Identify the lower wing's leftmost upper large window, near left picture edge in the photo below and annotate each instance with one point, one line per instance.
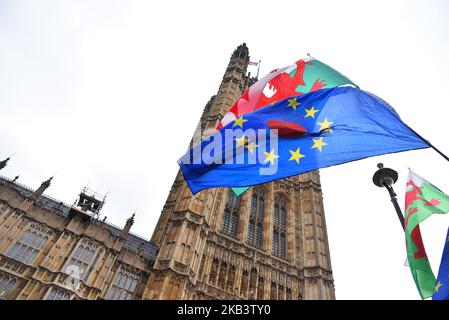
(29, 245)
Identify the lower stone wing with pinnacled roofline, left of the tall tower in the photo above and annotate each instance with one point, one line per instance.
(49, 250)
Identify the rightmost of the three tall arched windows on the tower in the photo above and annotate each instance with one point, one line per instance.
(279, 227)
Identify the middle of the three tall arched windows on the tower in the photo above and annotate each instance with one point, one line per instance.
(256, 217)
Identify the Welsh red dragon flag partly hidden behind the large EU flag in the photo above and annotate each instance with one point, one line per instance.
(304, 76)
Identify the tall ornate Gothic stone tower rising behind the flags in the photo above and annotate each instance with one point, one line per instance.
(269, 243)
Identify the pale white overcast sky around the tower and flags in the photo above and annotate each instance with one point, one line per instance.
(108, 93)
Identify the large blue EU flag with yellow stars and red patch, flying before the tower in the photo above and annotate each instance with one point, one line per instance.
(297, 135)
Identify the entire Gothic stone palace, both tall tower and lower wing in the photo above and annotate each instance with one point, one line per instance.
(269, 243)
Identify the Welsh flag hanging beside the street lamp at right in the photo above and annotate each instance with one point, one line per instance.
(422, 199)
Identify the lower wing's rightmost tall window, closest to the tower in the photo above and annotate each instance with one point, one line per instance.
(124, 285)
